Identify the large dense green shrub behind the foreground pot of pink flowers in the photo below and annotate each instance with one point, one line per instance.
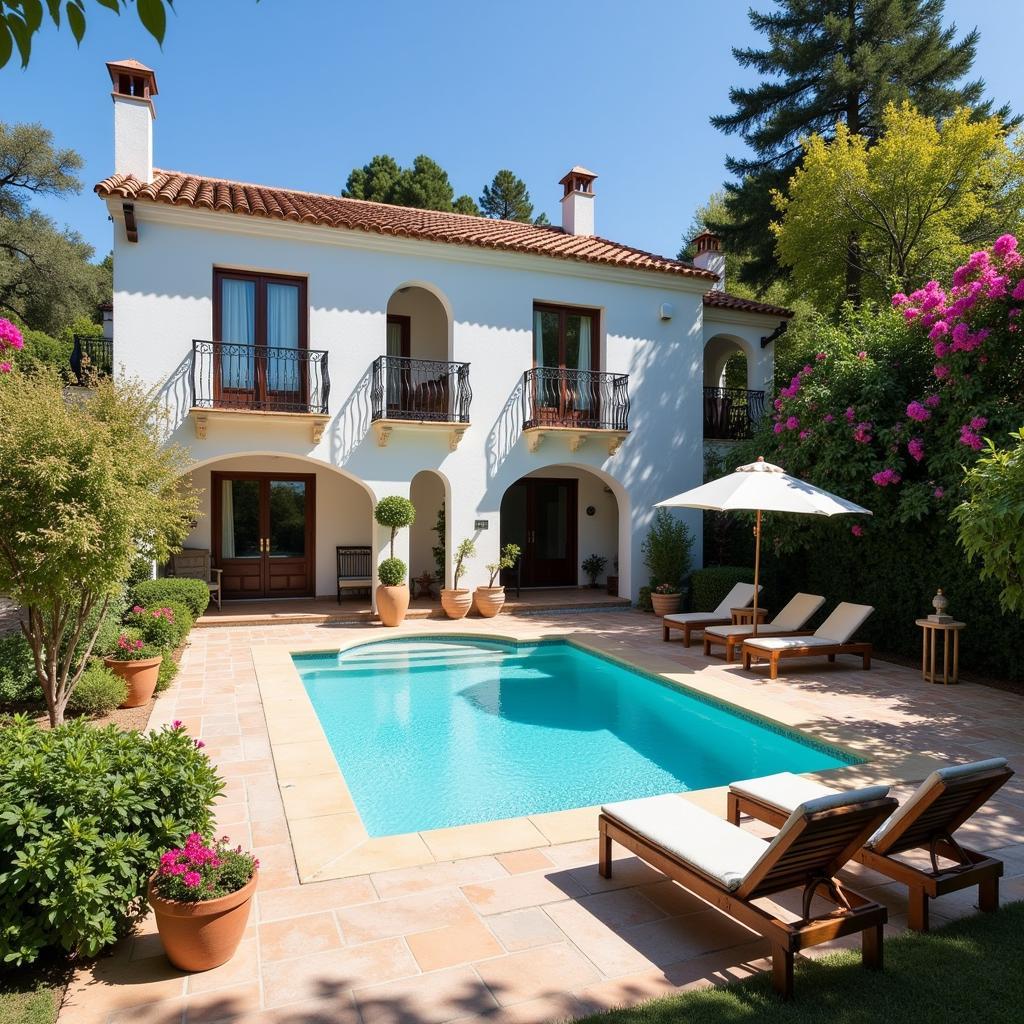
(84, 816)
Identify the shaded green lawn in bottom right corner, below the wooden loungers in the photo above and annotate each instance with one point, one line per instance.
(972, 971)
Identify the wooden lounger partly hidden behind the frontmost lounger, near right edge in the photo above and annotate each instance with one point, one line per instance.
(927, 822)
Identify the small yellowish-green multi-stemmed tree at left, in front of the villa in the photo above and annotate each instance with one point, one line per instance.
(87, 488)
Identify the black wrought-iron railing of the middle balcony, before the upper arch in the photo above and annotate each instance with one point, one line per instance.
(403, 389)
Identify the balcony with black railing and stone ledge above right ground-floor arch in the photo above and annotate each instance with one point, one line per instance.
(583, 404)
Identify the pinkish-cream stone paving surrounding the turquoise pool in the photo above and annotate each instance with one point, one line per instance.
(528, 935)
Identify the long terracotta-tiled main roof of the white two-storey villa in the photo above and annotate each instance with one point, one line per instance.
(177, 189)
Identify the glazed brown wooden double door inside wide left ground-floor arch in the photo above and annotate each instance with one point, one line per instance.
(264, 534)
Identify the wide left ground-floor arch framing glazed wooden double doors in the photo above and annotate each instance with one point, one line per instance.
(284, 527)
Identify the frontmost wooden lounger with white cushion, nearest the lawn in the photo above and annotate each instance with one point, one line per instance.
(732, 869)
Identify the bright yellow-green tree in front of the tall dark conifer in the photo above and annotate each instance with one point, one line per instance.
(918, 202)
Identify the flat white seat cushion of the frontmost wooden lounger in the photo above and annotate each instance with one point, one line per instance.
(716, 848)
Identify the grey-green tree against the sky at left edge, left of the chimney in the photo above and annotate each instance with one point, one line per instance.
(47, 277)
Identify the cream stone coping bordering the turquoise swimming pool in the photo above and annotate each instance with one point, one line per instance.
(329, 840)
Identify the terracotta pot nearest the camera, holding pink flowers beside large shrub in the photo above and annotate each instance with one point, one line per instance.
(202, 936)
